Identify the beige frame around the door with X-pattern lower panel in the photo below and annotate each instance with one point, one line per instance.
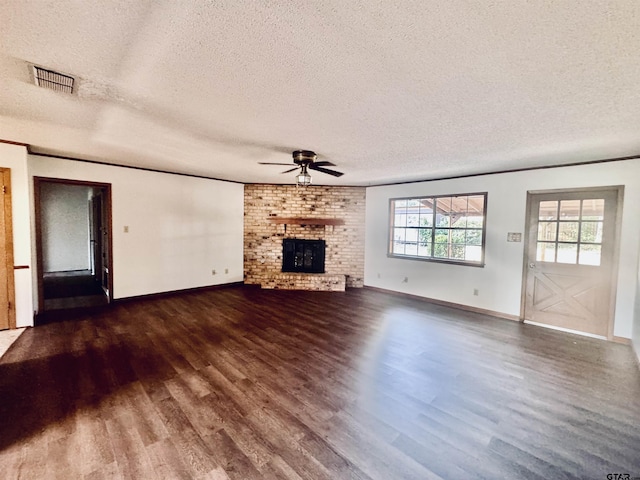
(616, 247)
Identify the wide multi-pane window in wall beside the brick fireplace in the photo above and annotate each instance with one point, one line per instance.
(447, 228)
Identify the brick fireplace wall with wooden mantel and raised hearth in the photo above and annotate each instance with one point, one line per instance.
(334, 215)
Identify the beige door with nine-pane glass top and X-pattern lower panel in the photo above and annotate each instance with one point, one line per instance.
(570, 260)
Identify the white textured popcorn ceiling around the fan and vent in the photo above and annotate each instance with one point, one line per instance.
(387, 90)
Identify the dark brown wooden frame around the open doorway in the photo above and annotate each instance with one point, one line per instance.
(37, 182)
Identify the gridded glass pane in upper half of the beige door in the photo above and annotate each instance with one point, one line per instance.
(570, 231)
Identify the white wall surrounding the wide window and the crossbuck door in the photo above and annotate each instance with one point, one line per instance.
(500, 281)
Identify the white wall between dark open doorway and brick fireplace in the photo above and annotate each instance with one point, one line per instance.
(180, 228)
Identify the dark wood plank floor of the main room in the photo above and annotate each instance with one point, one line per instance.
(243, 383)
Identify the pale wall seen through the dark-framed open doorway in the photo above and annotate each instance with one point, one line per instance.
(65, 227)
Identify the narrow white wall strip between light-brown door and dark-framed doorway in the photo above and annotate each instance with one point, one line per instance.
(15, 158)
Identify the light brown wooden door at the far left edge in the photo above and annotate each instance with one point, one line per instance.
(7, 310)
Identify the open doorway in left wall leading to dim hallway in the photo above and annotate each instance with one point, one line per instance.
(73, 240)
